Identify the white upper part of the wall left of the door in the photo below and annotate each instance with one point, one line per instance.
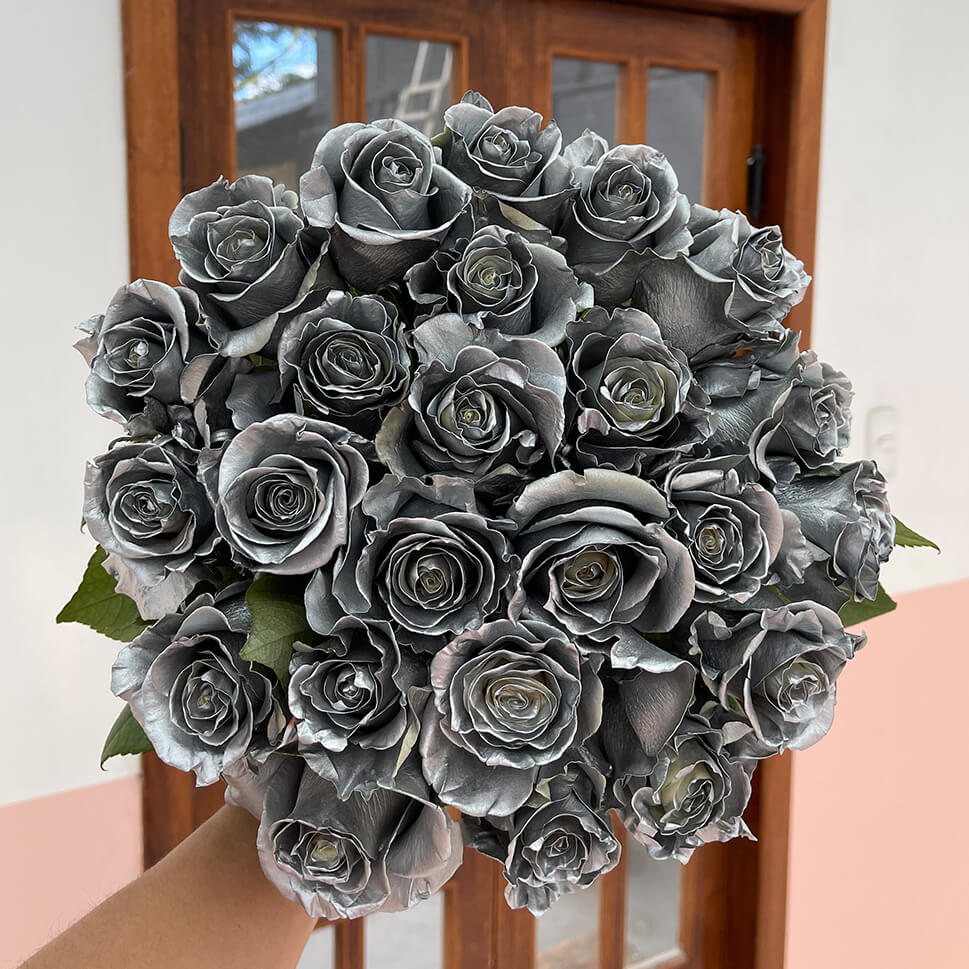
(64, 250)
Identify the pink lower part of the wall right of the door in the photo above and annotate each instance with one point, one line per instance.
(880, 808)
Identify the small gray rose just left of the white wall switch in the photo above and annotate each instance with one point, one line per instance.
(816, 419)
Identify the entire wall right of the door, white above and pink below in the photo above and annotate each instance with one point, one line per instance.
(868, 884)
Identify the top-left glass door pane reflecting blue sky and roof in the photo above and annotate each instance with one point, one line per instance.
(284, 97)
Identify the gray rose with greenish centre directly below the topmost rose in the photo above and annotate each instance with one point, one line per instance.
(499, 279)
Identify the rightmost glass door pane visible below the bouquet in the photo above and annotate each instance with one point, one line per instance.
(652, 908)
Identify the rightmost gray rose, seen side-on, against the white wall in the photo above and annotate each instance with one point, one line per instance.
(845, 514)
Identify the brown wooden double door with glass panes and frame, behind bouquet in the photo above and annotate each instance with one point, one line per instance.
(709, 79)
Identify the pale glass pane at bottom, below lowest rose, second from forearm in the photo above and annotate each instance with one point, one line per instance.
(413, 939)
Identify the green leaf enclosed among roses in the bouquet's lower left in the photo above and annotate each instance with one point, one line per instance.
(278, 621)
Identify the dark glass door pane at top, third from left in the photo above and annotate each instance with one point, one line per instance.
(584, 96)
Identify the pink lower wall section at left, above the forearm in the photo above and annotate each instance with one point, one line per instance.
(62, 855)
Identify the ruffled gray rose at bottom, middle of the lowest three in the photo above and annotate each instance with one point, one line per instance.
(560, 846)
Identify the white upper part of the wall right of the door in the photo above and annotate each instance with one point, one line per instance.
(891, 304)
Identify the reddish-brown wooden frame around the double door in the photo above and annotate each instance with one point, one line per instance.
(787, 123)
